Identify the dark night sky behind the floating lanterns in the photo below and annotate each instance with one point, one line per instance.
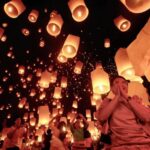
(98, 26)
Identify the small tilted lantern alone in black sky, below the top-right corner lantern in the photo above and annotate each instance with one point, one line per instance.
(122, 24)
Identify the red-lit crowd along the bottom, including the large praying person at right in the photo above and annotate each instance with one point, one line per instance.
(124, 123)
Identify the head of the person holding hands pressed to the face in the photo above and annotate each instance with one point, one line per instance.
(119, 82)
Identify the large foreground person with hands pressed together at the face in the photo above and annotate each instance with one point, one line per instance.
(125, 119)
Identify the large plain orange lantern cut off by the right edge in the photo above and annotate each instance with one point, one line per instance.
(139, 52)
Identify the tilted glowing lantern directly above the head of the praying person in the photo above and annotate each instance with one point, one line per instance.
(124, 66)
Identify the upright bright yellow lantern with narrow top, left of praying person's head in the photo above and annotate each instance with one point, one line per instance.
(100, 80)
